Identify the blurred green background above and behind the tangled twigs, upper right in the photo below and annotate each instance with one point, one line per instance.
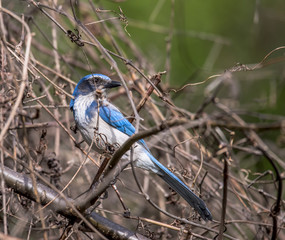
(209, 37)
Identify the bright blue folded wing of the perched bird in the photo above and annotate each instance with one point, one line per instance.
(115, 118)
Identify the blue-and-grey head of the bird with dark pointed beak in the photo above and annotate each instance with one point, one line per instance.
(93, 83)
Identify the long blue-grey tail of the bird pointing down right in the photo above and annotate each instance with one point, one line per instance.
(178, 186)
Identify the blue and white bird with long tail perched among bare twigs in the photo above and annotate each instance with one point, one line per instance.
(95, 115)
